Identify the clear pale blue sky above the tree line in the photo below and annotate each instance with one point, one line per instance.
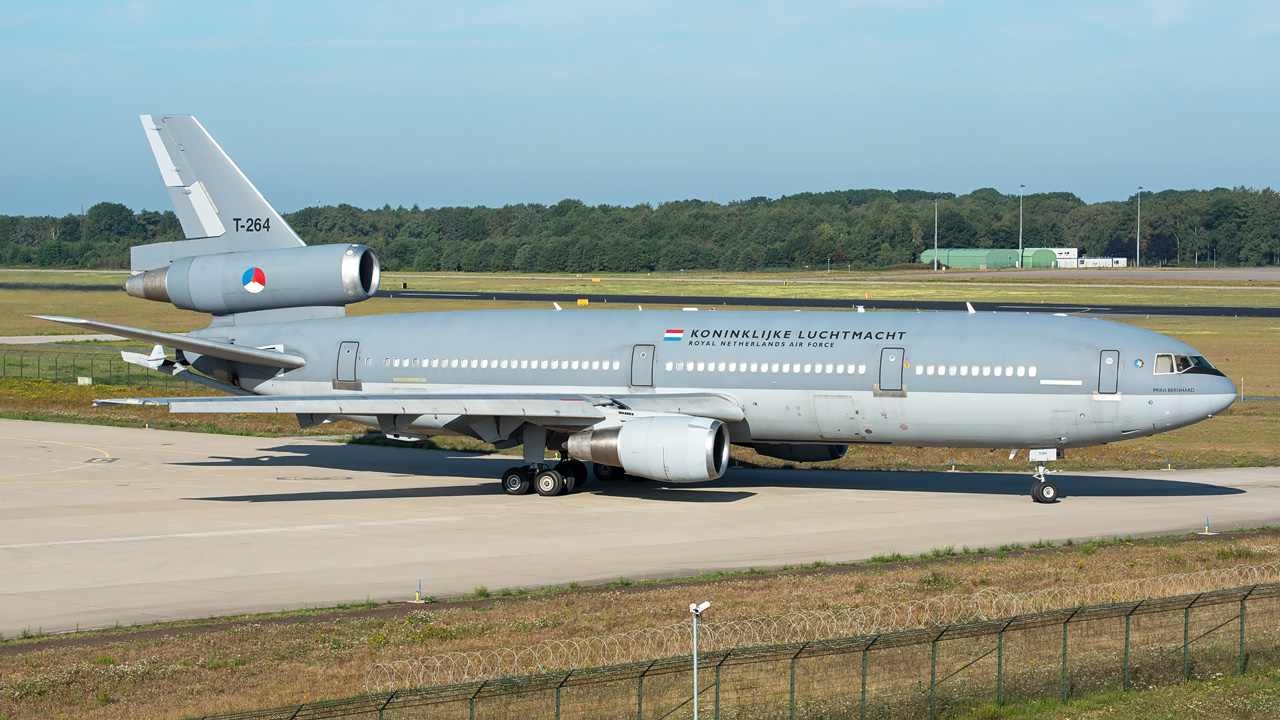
(623, 103)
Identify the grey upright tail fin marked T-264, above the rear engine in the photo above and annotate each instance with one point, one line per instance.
(220, 209)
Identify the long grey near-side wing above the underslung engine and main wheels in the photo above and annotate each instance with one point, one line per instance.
(551, 407)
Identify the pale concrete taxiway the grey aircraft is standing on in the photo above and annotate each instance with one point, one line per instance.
(106, 526)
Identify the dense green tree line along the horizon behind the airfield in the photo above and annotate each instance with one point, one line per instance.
(849, 230)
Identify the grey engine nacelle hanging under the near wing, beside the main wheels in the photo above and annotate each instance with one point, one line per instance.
(678, 449)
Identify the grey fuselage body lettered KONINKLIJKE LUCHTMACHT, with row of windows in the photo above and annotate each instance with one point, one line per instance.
(1052, 398)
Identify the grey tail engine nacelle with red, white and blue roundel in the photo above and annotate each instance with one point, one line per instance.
(271, 280)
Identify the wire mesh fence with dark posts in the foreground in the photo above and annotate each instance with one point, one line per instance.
(917, 673)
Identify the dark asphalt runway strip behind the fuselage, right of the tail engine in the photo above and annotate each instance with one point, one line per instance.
(1100, 309)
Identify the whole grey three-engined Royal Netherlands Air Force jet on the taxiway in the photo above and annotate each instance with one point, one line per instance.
(657, 395)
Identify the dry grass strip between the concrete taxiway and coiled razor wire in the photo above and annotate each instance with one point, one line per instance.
(260, 664)
